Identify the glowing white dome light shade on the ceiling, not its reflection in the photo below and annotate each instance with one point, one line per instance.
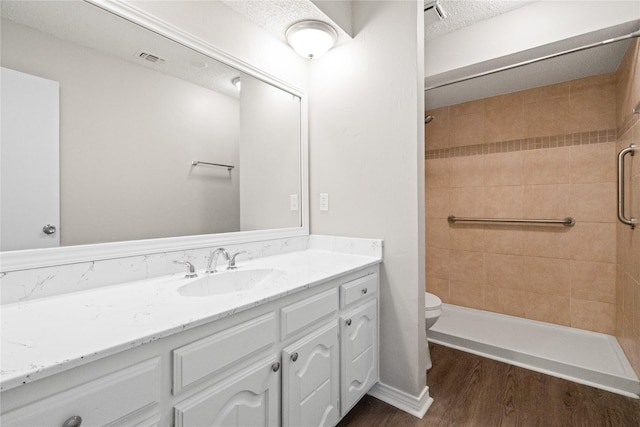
(311, 39)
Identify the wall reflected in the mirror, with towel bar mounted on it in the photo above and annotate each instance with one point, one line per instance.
(127, 138)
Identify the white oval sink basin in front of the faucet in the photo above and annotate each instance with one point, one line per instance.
(227, 282)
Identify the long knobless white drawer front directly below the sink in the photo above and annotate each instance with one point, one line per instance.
(208, 356)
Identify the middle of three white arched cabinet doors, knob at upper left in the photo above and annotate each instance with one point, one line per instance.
(310, 395)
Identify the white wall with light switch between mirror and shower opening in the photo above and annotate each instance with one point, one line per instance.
(367, 151)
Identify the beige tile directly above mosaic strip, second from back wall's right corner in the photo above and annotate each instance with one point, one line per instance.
(548, 117)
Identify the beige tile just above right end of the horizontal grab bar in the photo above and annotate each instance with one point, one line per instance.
(550, 201)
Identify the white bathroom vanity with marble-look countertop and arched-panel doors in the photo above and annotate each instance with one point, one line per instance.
(299, 346)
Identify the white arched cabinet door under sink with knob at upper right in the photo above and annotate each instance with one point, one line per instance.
(249, 398)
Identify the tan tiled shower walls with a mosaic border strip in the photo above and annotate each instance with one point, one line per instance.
(547, 152)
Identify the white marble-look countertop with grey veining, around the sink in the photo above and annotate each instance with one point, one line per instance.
(49, 335)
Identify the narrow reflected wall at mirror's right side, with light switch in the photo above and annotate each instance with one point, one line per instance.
(269, 157)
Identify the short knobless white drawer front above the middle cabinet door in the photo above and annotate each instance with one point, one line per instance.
(298, 316)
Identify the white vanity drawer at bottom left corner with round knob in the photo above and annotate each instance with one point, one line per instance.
(130, 396)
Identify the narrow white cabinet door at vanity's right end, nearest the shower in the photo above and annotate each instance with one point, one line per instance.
(359, 353)
